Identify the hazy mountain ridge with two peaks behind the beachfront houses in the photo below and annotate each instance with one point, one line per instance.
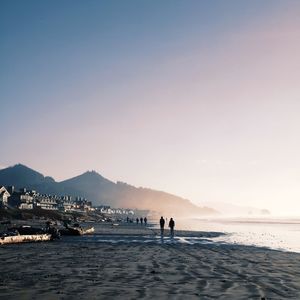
(102, 191)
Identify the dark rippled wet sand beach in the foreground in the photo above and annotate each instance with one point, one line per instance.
(132, 262)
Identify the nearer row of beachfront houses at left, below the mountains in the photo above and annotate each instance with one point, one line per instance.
(30, 199)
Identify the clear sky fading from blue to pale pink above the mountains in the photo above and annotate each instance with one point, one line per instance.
(197, 98)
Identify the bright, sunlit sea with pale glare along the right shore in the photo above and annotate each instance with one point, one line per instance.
(276, 233)
